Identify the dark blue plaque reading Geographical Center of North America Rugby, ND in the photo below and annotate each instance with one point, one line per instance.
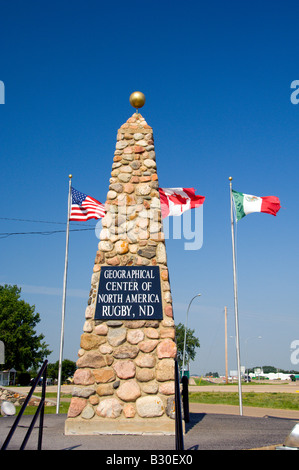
(129, 293)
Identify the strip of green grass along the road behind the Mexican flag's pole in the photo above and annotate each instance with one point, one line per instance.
(286, 401)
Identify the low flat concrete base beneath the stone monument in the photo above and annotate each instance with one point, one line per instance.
(145, 426)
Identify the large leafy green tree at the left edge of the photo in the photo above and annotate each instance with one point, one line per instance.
(23, 347)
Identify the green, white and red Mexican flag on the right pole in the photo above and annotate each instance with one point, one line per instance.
(246, 204)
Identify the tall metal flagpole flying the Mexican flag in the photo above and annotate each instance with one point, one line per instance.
(235, 298)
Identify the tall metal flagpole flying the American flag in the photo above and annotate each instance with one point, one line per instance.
(64, 295)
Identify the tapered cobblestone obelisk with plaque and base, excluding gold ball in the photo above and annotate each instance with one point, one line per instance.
(125, 381)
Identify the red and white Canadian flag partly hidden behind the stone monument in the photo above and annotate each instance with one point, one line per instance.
(175, 201)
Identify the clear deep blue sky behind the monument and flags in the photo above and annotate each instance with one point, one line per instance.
(217, 78)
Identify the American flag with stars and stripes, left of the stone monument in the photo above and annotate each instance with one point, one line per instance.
(85, 207)
